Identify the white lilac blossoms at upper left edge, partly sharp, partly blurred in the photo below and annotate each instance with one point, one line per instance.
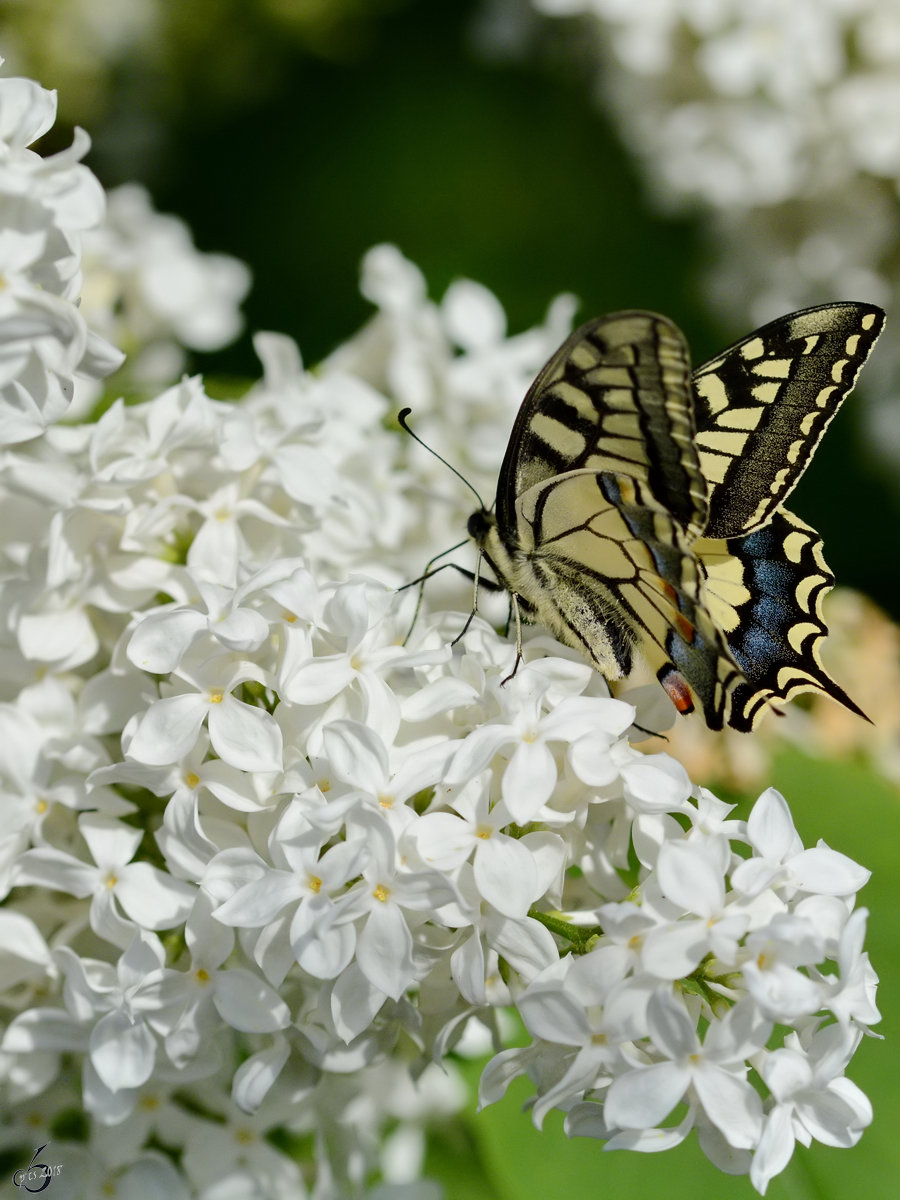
(88, 278)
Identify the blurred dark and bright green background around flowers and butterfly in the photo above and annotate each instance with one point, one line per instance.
(298, 135)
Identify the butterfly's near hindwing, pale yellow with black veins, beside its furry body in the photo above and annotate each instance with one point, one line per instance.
(613, 572)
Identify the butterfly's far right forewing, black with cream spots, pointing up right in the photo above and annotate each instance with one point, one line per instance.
(765, 404)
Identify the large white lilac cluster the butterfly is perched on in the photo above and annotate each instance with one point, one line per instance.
(267, 857)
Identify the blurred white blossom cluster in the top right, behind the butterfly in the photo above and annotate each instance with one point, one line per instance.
(779, 122)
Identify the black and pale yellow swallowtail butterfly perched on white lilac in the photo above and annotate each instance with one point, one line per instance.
(640, 506)
